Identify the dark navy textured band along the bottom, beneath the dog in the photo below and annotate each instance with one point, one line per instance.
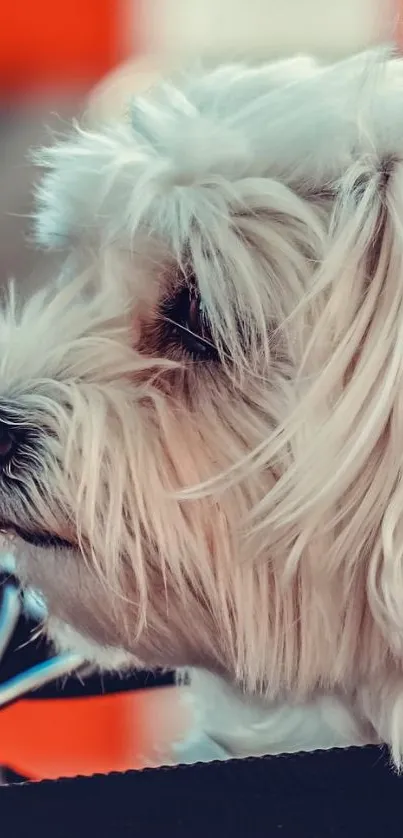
(334, 794)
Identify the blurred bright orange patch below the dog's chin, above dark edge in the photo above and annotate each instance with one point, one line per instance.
(66, 737)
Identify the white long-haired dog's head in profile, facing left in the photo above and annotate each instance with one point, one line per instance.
(232, 499)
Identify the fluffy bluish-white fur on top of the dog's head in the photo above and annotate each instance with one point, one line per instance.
(185, 149)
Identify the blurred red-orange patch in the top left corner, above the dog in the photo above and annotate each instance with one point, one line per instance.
(72, 43)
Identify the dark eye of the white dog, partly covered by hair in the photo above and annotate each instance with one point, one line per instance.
(188, 324)
